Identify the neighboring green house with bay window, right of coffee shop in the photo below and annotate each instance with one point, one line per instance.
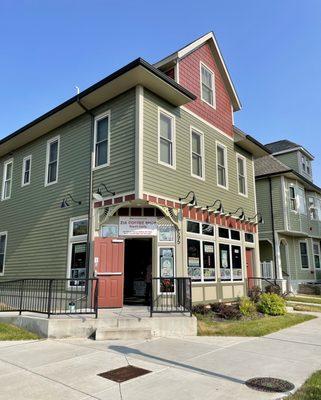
(290, 204)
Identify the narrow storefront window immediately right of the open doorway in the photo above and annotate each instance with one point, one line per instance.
(167, 269)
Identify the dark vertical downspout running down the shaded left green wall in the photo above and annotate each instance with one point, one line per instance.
(90, 198)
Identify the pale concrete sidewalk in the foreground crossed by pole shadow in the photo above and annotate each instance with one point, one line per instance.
(189, 368)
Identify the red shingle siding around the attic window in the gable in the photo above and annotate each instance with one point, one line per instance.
(189, 76)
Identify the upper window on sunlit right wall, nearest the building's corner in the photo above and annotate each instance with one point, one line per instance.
(166, 139)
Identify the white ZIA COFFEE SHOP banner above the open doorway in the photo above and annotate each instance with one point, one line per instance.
(137, 226)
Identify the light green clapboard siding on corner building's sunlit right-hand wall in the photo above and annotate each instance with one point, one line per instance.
(162, 180)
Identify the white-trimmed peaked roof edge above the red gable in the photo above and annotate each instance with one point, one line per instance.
(211, 40)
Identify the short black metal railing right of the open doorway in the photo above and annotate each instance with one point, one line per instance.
(171, 295)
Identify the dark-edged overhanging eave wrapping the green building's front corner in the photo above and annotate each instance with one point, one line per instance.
(138, 72)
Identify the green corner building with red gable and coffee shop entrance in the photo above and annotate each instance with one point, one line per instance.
(100, 185)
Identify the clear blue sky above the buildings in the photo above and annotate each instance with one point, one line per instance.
(272, 49)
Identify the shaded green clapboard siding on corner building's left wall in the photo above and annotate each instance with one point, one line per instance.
(37, 227)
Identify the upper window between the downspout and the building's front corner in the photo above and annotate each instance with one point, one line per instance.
(102, 139)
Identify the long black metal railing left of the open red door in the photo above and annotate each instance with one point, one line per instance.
(50, 296)
